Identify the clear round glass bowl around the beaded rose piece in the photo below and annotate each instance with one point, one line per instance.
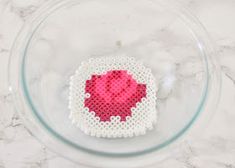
(165, 37)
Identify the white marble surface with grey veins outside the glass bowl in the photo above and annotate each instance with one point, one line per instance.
(215, 149)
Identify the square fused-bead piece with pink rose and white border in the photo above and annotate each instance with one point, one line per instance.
(113, 97)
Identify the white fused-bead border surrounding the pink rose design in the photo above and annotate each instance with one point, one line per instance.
(144, 115)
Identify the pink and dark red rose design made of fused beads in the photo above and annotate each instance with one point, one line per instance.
(113, 94)
